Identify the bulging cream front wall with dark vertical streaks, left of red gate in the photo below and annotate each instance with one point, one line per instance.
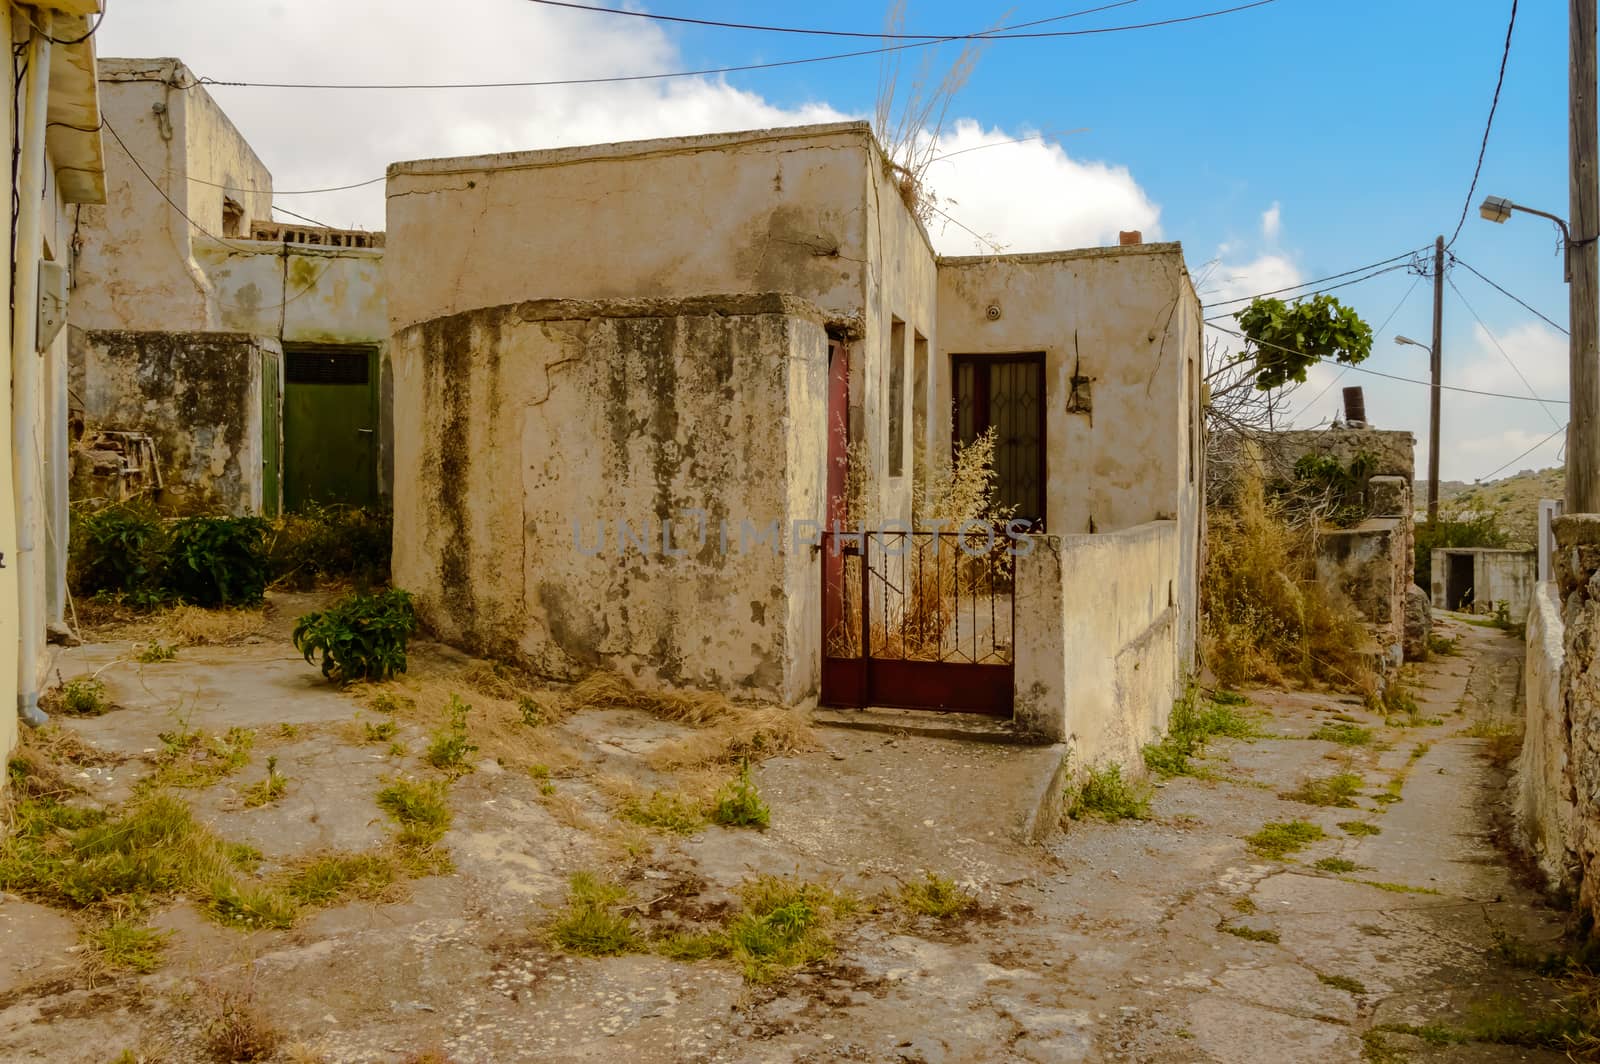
(538, 422)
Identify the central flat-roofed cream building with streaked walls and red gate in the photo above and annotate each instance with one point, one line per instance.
(652, 406)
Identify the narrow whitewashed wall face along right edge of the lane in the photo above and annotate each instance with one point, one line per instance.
(1545, 785)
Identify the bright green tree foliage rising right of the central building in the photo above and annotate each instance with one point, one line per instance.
(1286, 340)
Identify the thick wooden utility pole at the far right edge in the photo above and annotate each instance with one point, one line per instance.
(1583, 431)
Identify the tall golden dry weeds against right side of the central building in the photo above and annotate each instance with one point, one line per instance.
(1266, 615)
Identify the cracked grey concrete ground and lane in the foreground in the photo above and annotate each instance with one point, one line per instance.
(1110, 943)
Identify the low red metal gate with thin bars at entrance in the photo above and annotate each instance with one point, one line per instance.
(919, 620)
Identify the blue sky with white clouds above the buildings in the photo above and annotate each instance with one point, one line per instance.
(1284, 143)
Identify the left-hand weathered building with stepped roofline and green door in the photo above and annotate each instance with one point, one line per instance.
(220, 359)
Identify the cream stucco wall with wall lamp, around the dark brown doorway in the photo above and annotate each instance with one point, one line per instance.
(1124, 446)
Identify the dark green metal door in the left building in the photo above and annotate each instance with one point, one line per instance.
(330, 425)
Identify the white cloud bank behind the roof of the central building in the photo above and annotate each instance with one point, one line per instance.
(1026, 198)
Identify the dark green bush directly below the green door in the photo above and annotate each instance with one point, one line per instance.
(332, 543)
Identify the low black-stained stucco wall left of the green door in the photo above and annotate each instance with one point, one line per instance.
(198, 394)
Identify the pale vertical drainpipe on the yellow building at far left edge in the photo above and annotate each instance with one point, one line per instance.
(26, 366)
